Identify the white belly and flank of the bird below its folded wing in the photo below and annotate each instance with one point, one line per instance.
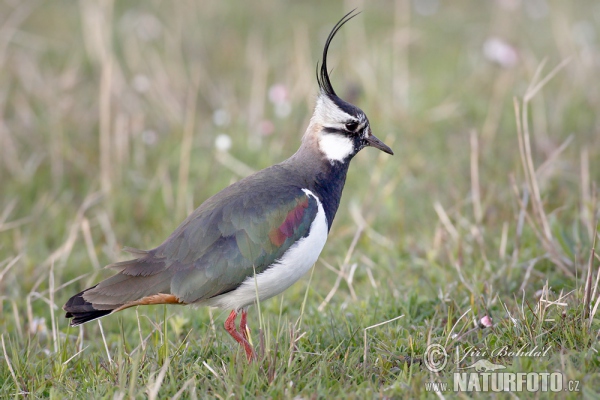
(295, 262)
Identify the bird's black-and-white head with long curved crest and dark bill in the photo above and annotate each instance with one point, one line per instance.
(339, 129)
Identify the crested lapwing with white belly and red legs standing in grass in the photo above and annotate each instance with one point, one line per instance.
(253, 239)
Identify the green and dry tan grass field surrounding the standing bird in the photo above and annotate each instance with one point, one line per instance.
(109, 113)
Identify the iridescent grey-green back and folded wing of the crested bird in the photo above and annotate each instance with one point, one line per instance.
(242, 230)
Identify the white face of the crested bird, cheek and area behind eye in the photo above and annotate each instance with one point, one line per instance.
(335, 146)
